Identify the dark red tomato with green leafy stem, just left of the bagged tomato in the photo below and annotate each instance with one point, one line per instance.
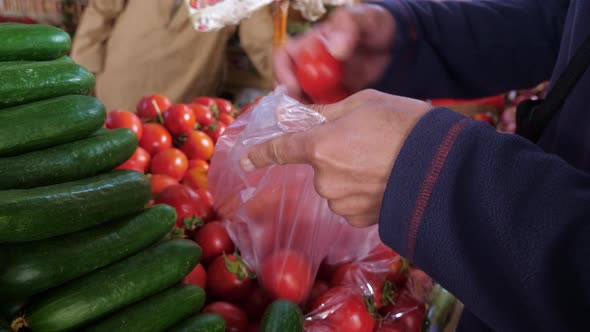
(229, 278)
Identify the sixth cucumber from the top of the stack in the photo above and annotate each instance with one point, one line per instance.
(32, 267)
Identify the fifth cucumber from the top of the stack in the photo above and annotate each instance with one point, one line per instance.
(40, 213)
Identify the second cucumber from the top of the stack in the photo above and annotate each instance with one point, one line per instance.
(38, 81)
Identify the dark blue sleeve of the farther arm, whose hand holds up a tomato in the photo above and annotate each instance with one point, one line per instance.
(471, 49)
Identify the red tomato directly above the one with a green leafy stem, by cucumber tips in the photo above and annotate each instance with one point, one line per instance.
(214, 240)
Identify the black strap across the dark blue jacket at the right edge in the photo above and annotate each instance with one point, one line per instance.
(534, 115)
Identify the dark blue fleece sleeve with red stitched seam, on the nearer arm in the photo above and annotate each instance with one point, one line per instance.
(498, 222)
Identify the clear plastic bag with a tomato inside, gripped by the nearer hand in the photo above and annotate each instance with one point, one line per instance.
(283, 228)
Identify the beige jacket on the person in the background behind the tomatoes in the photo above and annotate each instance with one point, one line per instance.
(140, 47)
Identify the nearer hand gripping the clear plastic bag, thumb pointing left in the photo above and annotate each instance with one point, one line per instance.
(352, 154)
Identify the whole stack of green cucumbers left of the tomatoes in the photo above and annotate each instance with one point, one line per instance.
(79, 250)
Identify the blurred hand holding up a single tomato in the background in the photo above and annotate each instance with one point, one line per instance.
(360, 36)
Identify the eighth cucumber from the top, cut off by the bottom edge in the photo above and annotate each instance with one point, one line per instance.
(156, 313)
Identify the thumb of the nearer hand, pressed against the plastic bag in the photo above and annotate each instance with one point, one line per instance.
(286, 149)
